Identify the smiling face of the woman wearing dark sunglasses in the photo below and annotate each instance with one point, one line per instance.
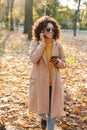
(49, 31)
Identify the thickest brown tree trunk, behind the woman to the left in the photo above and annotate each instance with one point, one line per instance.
(28, 18)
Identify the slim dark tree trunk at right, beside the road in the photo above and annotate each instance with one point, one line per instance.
(76, 17)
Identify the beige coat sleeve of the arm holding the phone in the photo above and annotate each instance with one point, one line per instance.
(62, 62)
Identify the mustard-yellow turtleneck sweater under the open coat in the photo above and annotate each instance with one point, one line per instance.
(48, 51)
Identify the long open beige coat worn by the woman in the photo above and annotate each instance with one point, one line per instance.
(39, 80)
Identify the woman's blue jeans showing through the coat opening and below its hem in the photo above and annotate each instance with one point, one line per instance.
(51, 121)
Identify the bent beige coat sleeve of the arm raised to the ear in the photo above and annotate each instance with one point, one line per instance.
(36, 50)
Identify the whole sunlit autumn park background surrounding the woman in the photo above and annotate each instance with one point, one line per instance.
(16, 20)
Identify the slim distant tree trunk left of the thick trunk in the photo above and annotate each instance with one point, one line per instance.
(11, 15)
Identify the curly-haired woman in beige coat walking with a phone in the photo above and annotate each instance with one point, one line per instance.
(45, 89)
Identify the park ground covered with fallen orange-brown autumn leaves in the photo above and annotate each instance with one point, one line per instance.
(15, 69)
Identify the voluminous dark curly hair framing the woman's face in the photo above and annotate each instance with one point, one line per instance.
(41, 24)
